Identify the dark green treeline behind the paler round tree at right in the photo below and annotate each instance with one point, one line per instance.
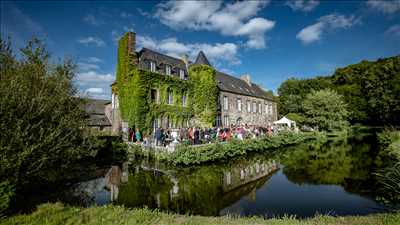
(371, 91)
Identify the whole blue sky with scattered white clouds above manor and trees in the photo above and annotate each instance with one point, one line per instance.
(269, 40)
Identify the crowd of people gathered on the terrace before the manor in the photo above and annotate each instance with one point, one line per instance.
(197, 135)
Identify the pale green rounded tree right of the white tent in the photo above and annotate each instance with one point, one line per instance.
(325, 109)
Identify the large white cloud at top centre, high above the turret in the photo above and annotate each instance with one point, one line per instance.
(233, 19)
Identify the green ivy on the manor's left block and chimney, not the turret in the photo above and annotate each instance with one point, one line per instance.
(134, 93)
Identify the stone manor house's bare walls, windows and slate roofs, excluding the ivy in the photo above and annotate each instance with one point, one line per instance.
(239, 100)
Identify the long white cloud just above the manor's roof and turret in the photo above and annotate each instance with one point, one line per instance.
(226, 52)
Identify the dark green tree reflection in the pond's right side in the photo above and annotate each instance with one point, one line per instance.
(346, 163)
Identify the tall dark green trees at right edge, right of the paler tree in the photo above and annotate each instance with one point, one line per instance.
(371, 90)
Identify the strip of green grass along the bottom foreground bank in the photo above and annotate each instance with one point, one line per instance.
(60, 214)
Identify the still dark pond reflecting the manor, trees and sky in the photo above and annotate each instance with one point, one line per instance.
(333, 178)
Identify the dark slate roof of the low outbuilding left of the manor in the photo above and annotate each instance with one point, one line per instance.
(95, 108)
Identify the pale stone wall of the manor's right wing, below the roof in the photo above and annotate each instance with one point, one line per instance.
(266, 116)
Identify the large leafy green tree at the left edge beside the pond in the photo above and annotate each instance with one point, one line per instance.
(41, 122)
